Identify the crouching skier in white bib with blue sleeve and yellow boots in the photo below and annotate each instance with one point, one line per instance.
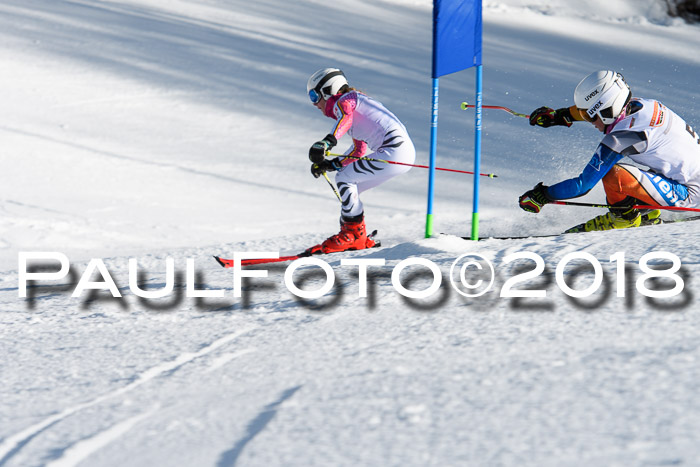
(645, 131)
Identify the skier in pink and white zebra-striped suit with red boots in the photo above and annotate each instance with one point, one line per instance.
(371, 126)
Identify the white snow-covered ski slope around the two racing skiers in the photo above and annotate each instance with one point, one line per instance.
(157, 129)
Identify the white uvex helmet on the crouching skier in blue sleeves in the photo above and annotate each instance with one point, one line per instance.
(603, 93)
